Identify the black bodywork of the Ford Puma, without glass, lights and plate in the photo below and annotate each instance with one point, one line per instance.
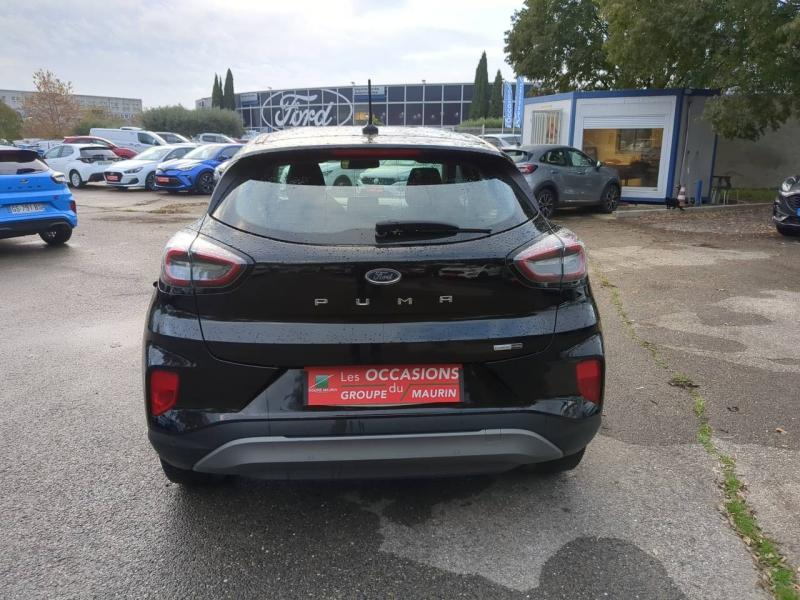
(241, 351)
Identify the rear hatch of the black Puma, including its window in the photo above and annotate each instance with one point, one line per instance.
(414, 272)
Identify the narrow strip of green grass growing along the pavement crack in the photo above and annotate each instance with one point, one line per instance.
(779, 577)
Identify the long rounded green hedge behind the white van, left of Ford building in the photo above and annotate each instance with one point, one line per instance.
(191, 122)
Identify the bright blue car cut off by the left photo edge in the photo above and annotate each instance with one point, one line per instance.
(34, 199)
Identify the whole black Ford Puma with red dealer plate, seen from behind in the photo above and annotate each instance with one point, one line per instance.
(302, 330)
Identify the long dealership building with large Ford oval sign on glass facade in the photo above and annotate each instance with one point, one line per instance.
(428, 104)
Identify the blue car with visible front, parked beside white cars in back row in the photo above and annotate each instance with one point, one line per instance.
(195, 171)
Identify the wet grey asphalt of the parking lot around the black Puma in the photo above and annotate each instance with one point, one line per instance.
(86, 511)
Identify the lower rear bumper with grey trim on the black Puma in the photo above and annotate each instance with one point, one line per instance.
(421, 446)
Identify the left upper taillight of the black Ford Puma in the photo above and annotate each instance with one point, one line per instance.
(195, 261)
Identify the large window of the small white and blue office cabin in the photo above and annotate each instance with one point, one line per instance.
(634, 153)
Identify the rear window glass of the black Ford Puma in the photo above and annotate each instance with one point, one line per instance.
(340, 201)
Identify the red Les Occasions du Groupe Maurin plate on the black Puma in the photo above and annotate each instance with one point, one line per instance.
(383, 385)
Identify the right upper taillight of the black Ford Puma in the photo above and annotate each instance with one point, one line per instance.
(553, 259)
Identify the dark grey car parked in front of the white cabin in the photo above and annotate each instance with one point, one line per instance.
(561, 176)
